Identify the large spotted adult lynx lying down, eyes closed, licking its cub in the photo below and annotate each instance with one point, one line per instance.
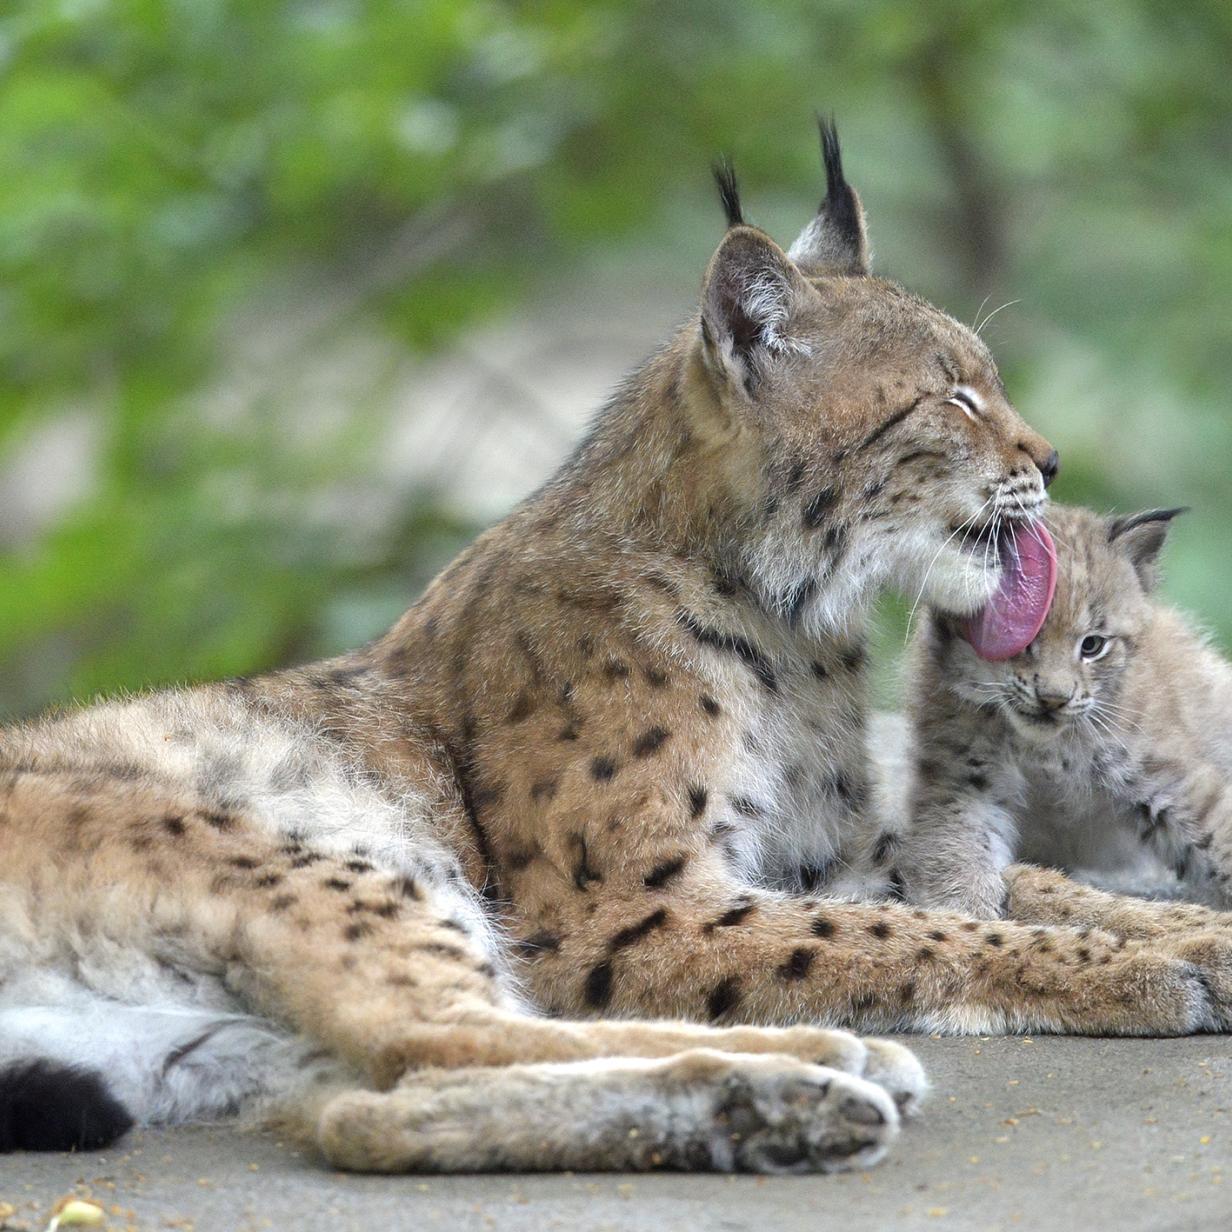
(604, 769)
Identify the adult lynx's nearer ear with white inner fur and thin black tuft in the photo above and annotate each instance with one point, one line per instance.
(751, 296)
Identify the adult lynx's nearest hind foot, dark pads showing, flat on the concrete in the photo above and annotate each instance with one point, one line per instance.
(698, 1111)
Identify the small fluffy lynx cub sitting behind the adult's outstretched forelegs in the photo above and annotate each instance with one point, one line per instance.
(1117, 718)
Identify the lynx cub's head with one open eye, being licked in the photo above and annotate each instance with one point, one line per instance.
(1069, 679)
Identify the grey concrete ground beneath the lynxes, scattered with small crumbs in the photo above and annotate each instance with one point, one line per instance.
(1018, 1134)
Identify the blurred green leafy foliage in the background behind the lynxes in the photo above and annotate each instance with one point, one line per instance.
(174, 174)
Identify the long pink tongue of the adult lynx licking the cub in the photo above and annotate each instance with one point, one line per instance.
(1011, 620)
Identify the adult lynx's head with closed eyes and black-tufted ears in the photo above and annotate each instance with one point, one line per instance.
(877, 440)
